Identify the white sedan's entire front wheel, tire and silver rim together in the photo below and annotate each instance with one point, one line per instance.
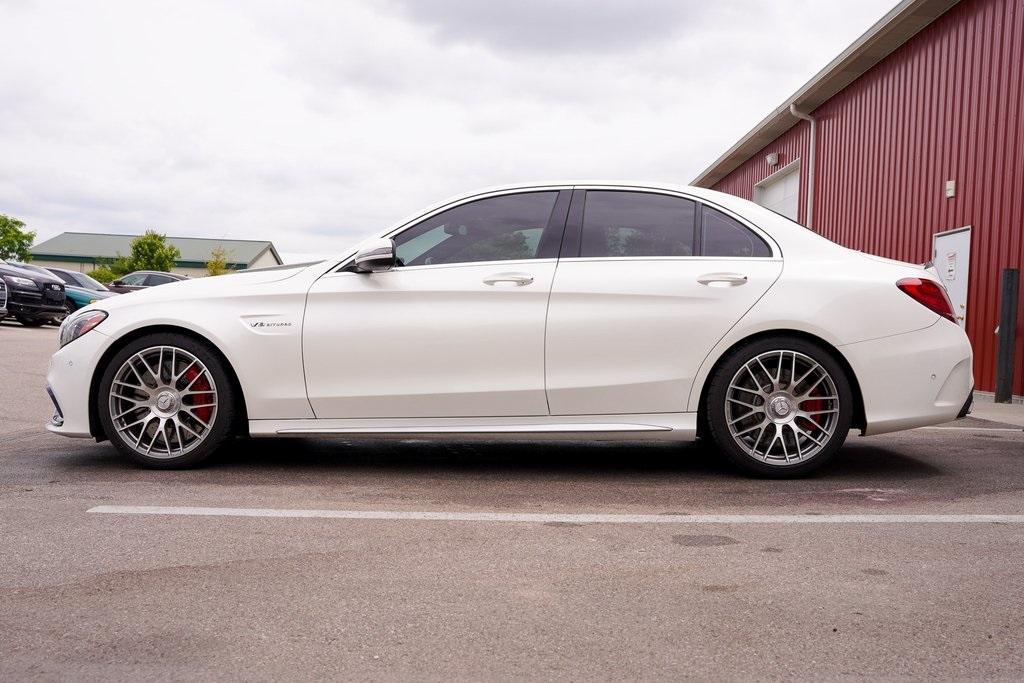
(165, 401)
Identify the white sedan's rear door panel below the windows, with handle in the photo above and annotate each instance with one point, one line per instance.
(629, 335)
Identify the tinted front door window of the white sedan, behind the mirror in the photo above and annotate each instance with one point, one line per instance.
(497, 229)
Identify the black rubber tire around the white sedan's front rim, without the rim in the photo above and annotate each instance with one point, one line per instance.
(221, 429)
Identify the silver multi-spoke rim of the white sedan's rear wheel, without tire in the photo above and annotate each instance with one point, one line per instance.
(782, 408)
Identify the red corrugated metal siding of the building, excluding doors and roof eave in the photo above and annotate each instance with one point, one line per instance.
(947, 106)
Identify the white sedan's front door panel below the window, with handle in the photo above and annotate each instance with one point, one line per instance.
(436, 341)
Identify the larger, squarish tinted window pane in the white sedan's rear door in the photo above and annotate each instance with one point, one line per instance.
(617, 224)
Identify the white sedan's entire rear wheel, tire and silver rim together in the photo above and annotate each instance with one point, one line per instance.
(780, 407)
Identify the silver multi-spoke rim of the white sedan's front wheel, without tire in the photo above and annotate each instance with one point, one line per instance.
(163, 402)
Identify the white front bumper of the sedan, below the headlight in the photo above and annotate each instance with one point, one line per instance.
(69, 380)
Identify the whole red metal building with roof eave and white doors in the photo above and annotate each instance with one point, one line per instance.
(918, 131)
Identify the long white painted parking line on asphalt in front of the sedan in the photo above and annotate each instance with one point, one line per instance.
(561, 518)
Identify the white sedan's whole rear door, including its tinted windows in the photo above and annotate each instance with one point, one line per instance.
(648, 284)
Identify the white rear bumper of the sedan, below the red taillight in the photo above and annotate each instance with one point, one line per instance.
(915, 379)
